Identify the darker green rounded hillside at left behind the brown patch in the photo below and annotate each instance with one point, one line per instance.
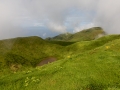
(27, 51)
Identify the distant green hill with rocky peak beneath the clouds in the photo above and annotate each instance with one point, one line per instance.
(84, 35)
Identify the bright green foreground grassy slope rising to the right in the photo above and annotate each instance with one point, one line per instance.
(97, 68)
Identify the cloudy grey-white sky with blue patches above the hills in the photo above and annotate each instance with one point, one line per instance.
(47, 18)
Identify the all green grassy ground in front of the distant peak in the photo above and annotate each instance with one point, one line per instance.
(84, 65)
